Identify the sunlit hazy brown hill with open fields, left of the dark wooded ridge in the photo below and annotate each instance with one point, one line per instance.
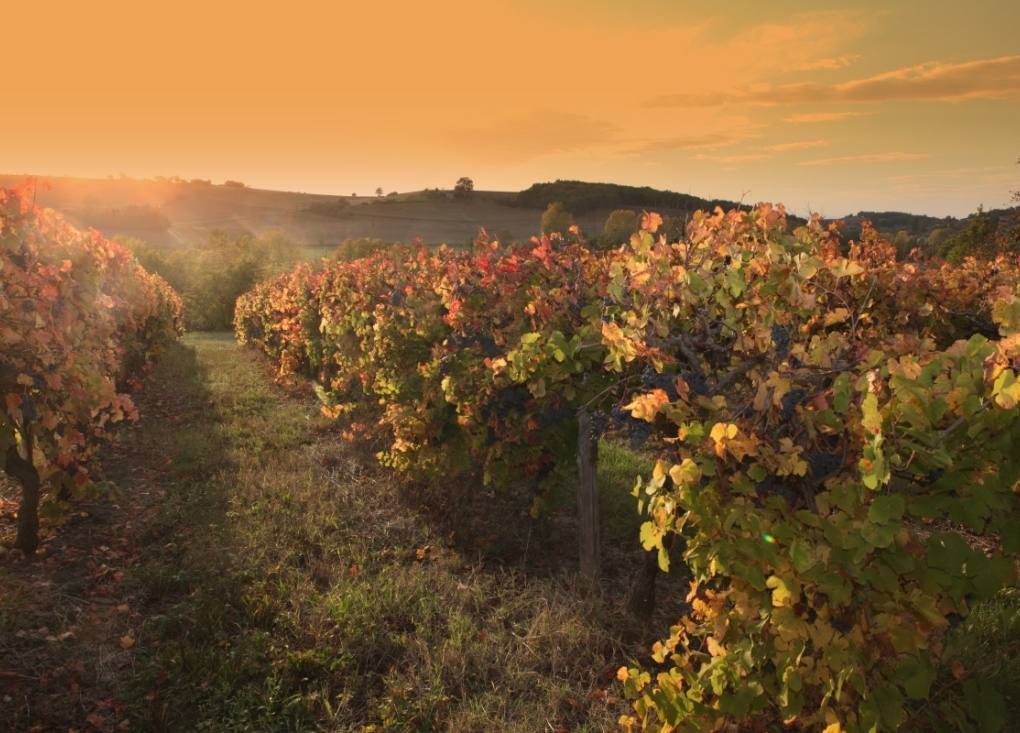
(174, 214)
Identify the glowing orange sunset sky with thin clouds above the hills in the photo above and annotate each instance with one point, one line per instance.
(827, 107)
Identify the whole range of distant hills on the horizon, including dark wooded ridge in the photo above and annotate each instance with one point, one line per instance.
(177, 214)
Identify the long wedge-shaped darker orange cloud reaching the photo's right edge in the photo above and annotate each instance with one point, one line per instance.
(988, 79)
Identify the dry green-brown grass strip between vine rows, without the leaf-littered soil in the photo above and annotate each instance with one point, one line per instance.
(296, 587)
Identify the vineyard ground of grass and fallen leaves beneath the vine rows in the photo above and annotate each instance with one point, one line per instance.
(256, 572)
